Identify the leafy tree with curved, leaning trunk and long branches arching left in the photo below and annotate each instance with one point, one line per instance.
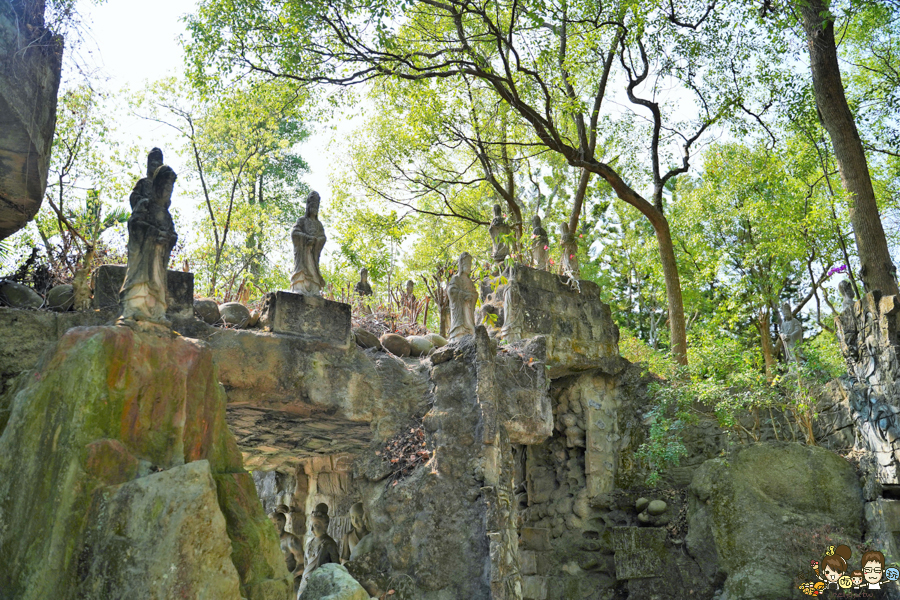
(551, 64)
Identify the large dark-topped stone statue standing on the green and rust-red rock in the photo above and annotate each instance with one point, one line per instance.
(151, 237)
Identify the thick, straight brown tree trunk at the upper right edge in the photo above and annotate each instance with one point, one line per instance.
(877, 270)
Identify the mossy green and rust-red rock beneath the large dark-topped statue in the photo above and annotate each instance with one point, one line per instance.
(103, 410)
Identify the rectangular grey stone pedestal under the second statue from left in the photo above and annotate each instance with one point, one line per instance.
(311, 317)
